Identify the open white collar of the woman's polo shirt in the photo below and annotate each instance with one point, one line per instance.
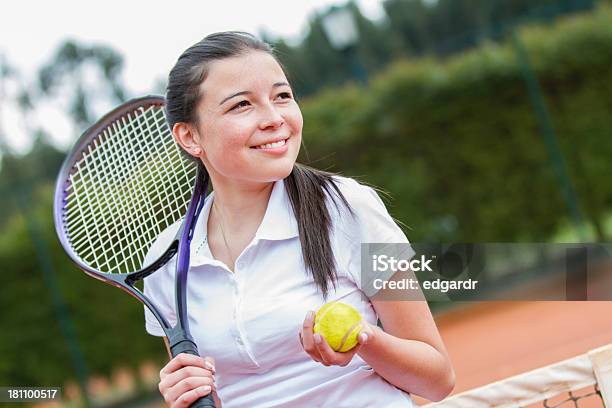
(278, 223)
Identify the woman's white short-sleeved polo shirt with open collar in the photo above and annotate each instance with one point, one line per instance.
(249, 320)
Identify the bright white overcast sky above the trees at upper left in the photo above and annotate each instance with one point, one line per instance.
(150, 36)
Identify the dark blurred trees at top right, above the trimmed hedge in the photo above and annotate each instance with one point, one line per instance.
(411, 28)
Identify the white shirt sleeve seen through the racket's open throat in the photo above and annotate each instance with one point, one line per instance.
(159, 286)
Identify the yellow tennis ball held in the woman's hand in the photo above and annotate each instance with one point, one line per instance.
(340, 324)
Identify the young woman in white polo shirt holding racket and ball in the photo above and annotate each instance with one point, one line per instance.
(274, 242)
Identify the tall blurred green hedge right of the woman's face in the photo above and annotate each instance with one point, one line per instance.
(457, 141)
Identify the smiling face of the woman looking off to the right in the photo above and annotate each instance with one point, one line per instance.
(249, 127)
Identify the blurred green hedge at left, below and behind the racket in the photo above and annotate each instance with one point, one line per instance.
(109, 325)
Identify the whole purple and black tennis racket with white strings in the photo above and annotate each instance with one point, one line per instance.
(121, 185)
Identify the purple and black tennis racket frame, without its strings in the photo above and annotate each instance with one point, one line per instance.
(179, 337)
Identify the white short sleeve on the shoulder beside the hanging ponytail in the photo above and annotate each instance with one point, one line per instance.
(371, 224)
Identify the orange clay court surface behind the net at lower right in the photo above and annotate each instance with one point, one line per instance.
(490, 341)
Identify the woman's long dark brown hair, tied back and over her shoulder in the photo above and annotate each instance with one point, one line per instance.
(306, 187)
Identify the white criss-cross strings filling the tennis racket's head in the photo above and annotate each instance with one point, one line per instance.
(130, 185)
